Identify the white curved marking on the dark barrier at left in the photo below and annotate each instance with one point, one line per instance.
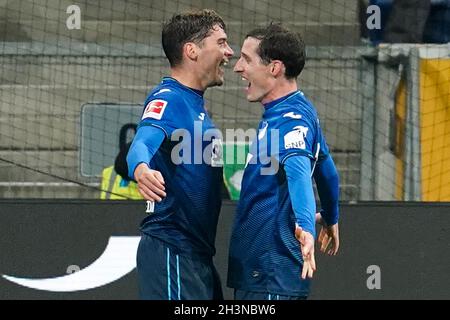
(118, 259)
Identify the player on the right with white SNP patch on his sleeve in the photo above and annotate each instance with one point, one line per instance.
(272, 243)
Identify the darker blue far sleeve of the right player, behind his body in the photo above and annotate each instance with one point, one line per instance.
(327, 181)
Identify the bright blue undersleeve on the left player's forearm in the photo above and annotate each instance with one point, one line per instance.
(147, 141)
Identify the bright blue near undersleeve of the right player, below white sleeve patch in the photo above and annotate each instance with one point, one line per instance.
(298, 173)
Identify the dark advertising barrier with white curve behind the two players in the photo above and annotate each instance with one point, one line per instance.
(388, 251)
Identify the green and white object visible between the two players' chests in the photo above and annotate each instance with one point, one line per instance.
(234, 158)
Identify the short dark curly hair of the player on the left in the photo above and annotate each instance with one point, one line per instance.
(191, 26)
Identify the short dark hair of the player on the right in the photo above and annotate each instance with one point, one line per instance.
(279, 43)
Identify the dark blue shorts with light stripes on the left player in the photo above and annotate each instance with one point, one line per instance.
(165, 275)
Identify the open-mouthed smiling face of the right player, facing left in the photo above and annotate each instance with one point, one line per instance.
(252, 69)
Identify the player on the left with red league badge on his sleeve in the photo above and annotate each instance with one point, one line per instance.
(175, 254)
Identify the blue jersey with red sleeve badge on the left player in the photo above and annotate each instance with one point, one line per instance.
(189, 160)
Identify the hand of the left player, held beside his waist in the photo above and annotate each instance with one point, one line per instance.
(150, 183)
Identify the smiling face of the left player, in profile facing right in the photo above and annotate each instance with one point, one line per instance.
(214, 52)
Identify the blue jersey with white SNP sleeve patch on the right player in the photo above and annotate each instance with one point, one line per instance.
(264, 253)
